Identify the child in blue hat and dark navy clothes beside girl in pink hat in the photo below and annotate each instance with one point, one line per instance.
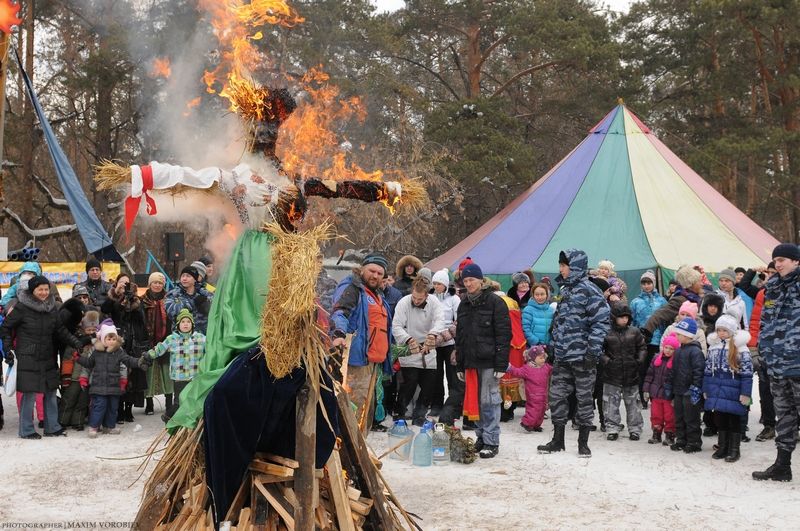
(686, 383)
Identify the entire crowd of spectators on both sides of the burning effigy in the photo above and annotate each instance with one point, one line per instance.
(421, 345)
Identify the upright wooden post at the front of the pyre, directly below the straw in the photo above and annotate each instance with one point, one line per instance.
(305, 451)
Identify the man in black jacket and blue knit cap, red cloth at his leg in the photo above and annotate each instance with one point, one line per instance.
(483, 339)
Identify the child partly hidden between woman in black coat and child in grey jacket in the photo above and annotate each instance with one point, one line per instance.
(74, 398)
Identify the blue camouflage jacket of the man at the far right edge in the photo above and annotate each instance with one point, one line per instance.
(779, 339)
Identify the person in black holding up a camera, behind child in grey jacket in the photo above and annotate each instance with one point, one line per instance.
(124, 307)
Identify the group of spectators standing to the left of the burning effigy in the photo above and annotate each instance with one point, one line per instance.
(107, 349)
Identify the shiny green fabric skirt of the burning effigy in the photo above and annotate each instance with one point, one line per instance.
(233, 322)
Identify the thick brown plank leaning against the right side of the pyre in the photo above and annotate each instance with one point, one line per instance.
(357, 446)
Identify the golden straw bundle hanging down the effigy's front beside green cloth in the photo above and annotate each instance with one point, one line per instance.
(288, 329)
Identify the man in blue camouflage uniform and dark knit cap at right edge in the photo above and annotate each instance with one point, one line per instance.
(779, 345)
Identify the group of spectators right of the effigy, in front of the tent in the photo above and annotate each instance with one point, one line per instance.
(688, 356)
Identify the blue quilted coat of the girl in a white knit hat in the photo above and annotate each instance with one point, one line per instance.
(721, 386)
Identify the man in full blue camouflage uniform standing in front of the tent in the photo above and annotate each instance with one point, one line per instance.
(580, 325)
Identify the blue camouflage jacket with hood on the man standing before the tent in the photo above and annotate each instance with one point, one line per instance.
(582, 318)
